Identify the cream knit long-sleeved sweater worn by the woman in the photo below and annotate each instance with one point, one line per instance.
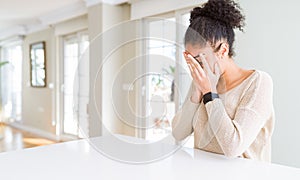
(238, 124)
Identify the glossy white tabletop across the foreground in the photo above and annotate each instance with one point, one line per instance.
(79, 160)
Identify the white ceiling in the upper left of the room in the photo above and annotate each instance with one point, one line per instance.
(16, 15)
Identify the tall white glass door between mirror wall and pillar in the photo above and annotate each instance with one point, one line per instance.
(75, 84)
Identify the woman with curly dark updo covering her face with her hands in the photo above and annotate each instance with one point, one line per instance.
(229, 109)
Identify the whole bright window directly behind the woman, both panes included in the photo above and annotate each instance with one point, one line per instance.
(168, 78)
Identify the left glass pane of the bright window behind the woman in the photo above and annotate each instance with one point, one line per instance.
(161, 50)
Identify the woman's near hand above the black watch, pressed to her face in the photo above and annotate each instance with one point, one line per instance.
(204, 77)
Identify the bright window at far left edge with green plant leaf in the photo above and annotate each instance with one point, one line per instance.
(11, 81)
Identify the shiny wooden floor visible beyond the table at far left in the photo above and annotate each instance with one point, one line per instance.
(13, 139)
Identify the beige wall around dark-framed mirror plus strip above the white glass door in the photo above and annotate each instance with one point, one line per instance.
(40, 106)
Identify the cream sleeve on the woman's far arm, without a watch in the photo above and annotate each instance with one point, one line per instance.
(182, 123)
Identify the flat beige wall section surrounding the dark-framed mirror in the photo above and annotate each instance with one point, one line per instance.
(37, 103)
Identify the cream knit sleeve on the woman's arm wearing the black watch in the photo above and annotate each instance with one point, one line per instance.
(236, 135)
